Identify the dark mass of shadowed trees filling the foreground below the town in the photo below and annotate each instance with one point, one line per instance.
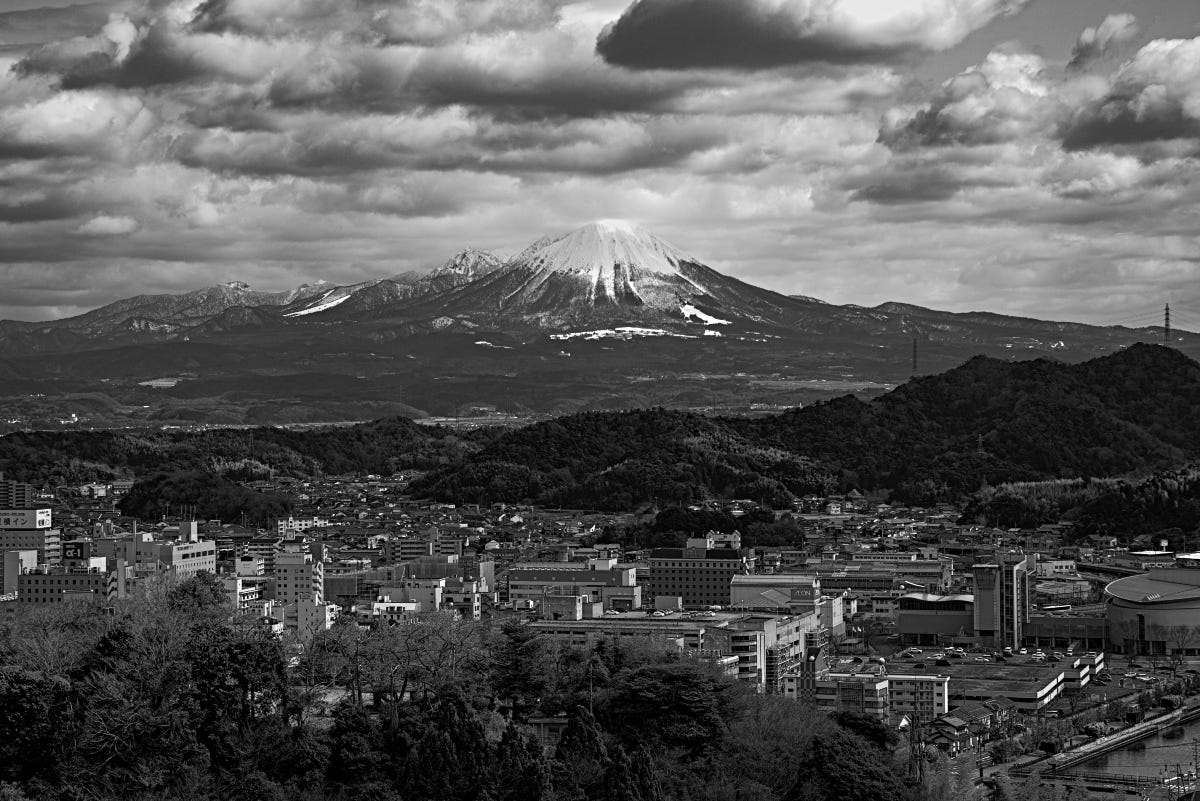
(161, 697)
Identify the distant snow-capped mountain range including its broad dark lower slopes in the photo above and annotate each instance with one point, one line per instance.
(608, 316)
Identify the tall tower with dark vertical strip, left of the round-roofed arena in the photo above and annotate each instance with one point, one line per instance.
(1003, 599)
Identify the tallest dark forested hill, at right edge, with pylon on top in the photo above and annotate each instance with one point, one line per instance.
(1138, 409)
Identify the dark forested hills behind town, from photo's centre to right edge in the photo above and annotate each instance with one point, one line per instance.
(935, 438)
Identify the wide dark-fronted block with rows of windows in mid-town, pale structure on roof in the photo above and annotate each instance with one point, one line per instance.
(699, 574)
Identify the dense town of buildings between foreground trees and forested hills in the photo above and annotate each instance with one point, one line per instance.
(805, 621)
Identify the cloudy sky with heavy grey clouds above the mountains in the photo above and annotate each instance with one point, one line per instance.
(1037, 158)
